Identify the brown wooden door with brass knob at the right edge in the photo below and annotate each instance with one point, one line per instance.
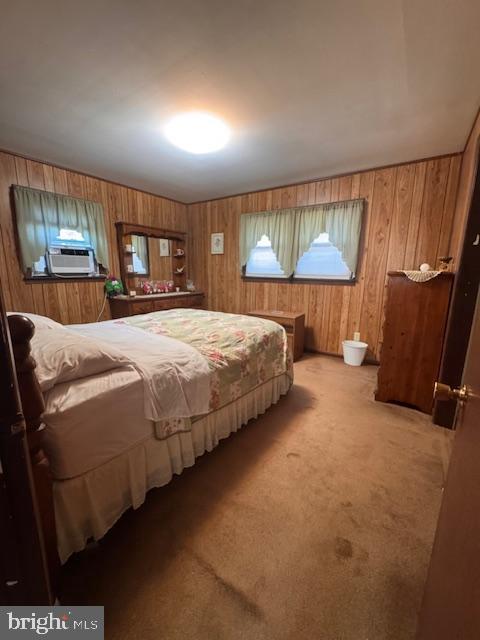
(451, 604)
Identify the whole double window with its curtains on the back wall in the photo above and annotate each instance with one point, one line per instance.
(315, 242)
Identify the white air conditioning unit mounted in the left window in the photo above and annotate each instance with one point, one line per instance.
(71, 259)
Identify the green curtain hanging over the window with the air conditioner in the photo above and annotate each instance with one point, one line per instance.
(41, 214)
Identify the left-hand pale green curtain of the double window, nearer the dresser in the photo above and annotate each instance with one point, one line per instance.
(279, 226)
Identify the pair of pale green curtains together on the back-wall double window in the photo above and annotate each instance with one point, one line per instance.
(292, 231)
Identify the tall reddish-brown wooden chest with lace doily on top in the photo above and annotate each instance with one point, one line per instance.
(413, 335)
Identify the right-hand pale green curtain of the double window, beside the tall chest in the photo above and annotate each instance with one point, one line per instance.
(341, 220)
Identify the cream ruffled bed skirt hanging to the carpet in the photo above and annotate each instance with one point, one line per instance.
(89, 505)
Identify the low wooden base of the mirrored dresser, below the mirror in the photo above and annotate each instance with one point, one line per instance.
(122, 306)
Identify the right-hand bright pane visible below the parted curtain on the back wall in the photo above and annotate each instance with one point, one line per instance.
(322, 260)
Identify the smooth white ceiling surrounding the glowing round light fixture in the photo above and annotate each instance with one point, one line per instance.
(311, 88)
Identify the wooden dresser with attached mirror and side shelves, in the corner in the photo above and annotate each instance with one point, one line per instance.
(152, 270)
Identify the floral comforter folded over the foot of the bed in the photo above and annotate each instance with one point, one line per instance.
(242, 351)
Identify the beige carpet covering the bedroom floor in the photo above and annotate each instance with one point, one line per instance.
(313, 522)
